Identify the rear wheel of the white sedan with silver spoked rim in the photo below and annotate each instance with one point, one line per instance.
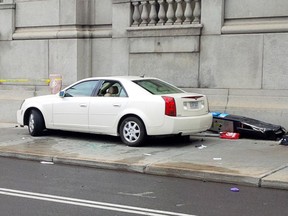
(132, 131)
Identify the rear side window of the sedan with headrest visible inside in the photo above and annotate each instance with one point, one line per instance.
(112, 88)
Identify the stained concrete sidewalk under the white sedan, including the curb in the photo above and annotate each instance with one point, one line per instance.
(207, 158)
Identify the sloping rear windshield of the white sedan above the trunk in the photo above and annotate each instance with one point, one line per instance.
(157, 87)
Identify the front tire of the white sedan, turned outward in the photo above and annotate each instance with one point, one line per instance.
(36, 123)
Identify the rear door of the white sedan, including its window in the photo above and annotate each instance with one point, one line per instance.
(106, 107)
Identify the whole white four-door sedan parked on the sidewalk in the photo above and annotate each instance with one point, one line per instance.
(130, 107)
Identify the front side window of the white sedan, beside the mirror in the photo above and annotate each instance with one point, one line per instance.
(83, 89)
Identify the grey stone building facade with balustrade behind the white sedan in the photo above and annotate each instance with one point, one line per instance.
(233, 51)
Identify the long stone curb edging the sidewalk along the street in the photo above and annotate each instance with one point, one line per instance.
(155, 170)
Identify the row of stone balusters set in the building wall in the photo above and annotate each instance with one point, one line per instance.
(165, 12)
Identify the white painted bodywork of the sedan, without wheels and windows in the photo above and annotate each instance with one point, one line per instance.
(103, 115)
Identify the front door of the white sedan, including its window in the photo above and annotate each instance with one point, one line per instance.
(71, 111)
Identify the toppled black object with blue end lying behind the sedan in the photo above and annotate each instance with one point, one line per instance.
(246, 127)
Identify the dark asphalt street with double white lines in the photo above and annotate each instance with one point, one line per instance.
(44, 188)
